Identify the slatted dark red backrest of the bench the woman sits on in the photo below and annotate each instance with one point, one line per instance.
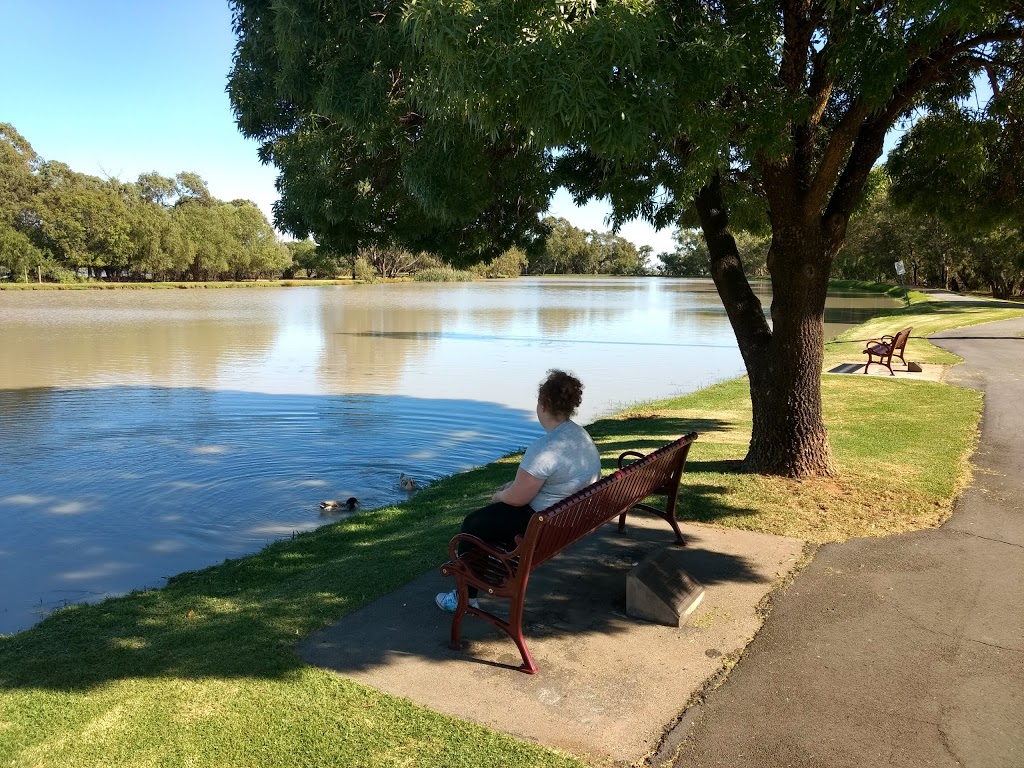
(554, 529)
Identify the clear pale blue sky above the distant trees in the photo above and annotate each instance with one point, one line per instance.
(117, 89)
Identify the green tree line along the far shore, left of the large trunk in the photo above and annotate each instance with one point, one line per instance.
(61, 226)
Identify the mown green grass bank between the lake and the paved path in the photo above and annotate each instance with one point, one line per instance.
(203, 672)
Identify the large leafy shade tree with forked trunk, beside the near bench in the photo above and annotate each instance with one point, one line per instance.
(392, 119)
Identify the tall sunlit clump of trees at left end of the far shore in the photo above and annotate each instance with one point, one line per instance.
(61, 226)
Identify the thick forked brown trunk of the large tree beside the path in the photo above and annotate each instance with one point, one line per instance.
(784, 363)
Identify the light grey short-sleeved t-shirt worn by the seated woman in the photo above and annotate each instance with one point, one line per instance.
(566, 459)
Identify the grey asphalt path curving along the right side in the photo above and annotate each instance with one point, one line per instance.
(903, 652)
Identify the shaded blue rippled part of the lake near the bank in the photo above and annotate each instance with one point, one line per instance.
(108, 490)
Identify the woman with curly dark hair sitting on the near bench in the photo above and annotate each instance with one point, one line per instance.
(556, 466)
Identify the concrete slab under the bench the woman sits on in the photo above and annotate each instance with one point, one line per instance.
(609, 686)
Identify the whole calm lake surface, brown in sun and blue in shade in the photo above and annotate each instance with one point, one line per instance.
(144, 434)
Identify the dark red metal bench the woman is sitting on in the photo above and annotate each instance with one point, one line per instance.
(503, 572)
